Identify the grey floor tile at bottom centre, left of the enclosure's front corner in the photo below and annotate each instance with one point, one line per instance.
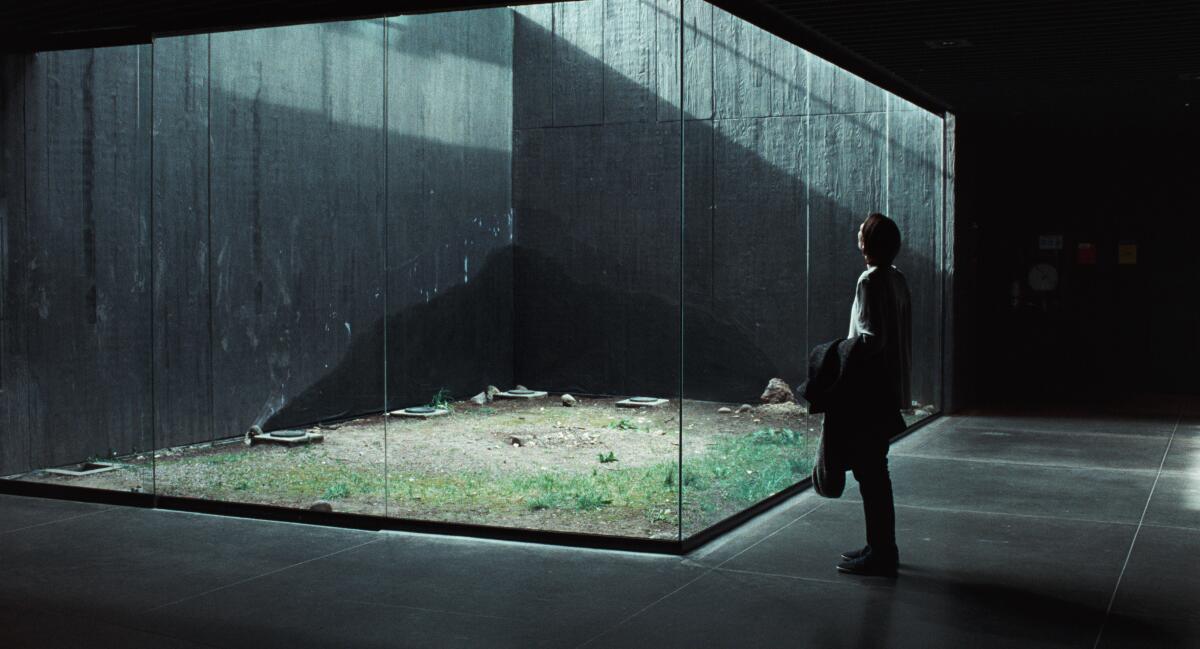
(421, 592)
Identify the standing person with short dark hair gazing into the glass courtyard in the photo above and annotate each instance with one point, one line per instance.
(881, 321)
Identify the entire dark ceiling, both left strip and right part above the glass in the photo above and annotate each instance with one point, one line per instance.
(1000, 57)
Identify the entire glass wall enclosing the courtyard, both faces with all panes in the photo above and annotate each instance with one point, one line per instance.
(523, 267)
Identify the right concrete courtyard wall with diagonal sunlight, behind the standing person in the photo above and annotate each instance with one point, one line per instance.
(785, 155)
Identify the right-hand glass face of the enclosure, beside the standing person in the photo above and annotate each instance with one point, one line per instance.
(784, 163)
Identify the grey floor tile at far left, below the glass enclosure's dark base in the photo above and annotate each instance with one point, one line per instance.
(128, 561)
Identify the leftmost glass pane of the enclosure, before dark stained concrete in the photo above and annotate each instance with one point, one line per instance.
(76, 390)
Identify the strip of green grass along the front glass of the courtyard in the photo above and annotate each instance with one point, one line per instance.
(734, 473)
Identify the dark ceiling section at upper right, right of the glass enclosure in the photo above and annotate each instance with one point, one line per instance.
(1023, 56)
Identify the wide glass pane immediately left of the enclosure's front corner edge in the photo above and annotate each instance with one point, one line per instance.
(535, 214)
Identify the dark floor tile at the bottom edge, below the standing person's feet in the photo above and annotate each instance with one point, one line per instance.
(764, 611)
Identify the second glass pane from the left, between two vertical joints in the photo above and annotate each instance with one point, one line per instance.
(269, 202)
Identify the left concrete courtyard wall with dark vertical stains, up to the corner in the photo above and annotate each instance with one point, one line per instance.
(323, 205)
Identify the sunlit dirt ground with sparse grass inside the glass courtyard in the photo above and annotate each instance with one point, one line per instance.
(487, 465)
